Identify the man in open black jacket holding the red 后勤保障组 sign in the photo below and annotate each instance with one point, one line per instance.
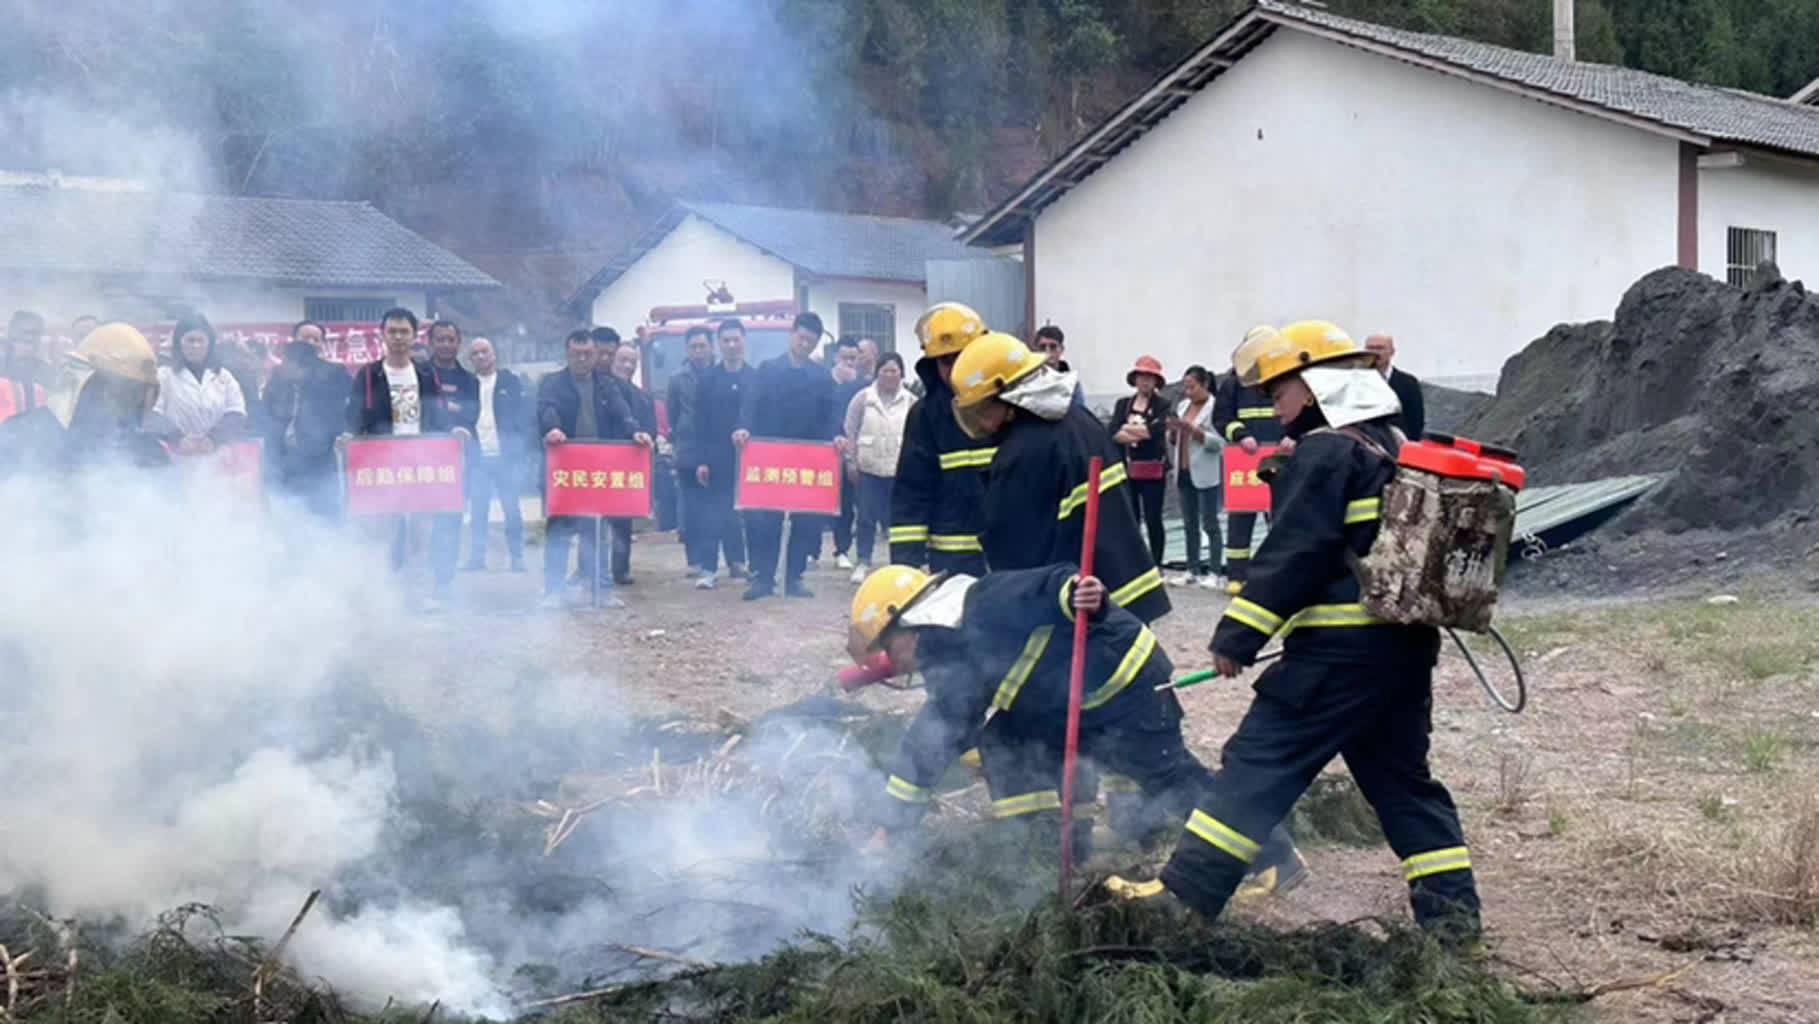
(401, 397)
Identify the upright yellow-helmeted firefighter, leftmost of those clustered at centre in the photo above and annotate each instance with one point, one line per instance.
(940, 496)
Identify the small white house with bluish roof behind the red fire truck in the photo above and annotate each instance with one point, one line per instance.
(863, 276)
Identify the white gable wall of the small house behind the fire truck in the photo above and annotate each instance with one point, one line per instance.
(674, 270)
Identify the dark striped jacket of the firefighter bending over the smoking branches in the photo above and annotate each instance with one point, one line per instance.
(1010, 656)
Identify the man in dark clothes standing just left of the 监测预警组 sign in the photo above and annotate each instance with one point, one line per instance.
(709, 454)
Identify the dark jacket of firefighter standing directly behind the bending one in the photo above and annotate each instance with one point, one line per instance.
(1036, 508)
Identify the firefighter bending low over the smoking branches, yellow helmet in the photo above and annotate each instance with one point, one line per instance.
(1001, 645)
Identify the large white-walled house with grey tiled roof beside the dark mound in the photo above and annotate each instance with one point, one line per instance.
(1460, 196)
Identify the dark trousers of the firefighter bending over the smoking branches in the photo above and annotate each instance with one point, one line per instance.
(1023, 763)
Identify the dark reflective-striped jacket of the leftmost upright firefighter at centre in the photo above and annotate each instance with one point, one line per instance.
(940, 496)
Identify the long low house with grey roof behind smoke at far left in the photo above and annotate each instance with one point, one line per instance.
(117, 250)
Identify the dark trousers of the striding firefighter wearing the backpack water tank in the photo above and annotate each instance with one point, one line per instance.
(1378, 718)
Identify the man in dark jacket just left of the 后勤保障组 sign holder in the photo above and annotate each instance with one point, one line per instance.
(307, 405)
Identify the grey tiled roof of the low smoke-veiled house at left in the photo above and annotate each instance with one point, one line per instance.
(208, 237)
